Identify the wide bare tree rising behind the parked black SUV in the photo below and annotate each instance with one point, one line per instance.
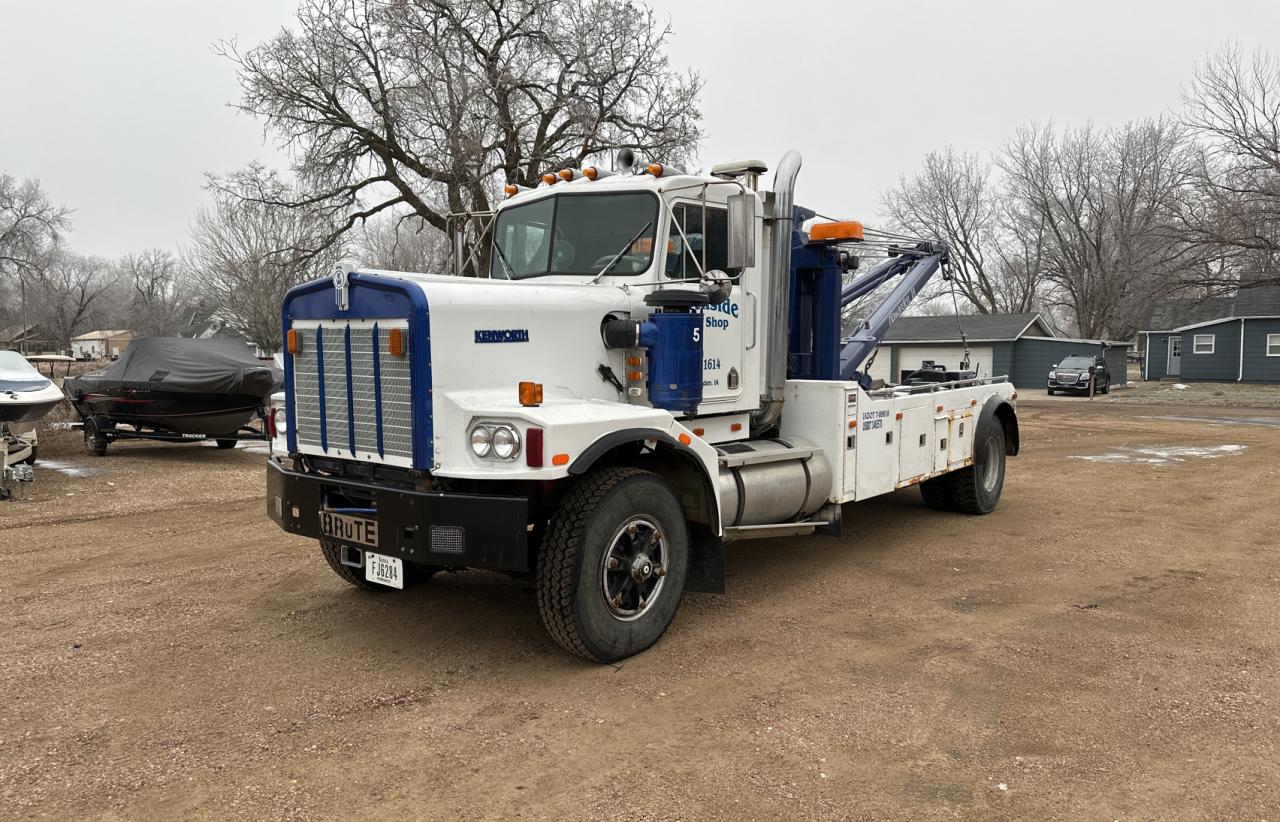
(1103, 200)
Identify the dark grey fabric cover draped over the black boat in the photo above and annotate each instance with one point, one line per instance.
(214, 366)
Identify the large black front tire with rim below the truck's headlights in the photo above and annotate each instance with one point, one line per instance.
(612, 567)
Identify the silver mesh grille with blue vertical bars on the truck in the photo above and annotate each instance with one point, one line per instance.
(327, 354)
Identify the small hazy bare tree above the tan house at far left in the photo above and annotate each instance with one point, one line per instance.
(65, 291)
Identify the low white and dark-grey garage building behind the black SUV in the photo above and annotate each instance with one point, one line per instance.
(1020, 346)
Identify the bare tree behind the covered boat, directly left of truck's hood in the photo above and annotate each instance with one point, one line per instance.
(245, 257)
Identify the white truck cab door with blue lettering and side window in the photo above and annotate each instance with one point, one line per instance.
(706, 239)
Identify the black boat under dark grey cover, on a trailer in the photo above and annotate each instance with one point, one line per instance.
(188, 387)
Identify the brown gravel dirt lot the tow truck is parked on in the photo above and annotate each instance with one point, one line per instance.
(1104, 646)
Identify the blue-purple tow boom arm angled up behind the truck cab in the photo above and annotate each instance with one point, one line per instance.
(917, 267)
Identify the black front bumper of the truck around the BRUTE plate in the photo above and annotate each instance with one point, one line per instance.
(461, 531)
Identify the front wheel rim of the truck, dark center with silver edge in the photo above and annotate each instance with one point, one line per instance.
(634, 569)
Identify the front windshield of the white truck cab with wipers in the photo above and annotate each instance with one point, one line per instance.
(575, 235)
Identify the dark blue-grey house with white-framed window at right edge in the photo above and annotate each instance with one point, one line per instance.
(1222, 340)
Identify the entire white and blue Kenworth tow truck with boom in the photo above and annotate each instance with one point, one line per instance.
(652, 369)
